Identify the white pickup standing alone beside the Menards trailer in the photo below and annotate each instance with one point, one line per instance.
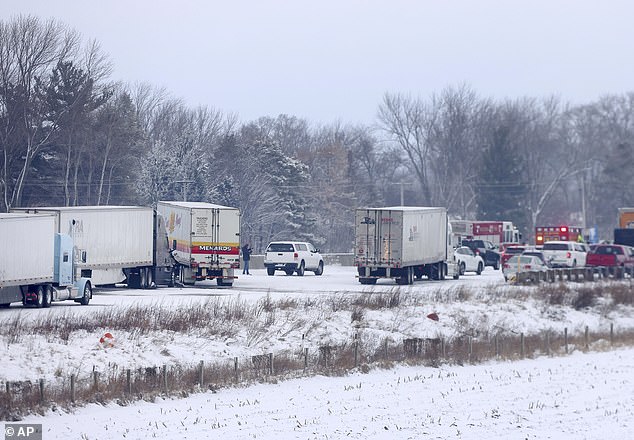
(293, 256)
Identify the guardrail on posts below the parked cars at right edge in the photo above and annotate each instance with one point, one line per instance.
(576, 274)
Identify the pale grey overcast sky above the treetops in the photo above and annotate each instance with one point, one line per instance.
(327, 60)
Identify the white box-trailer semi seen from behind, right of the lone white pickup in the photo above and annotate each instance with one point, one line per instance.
(403, 243)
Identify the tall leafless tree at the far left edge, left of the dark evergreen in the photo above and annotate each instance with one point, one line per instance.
(30, 48)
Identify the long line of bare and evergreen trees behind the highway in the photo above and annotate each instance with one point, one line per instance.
(71, 135)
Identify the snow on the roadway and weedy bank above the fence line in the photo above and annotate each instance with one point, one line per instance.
(37, 356)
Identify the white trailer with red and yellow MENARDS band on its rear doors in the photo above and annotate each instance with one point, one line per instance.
(204, 239)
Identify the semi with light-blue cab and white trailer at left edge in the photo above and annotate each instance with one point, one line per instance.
(37, 265)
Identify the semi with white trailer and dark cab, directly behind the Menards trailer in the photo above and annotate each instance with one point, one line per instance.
(115, 244)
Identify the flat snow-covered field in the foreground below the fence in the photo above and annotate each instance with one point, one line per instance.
(581, 396)
